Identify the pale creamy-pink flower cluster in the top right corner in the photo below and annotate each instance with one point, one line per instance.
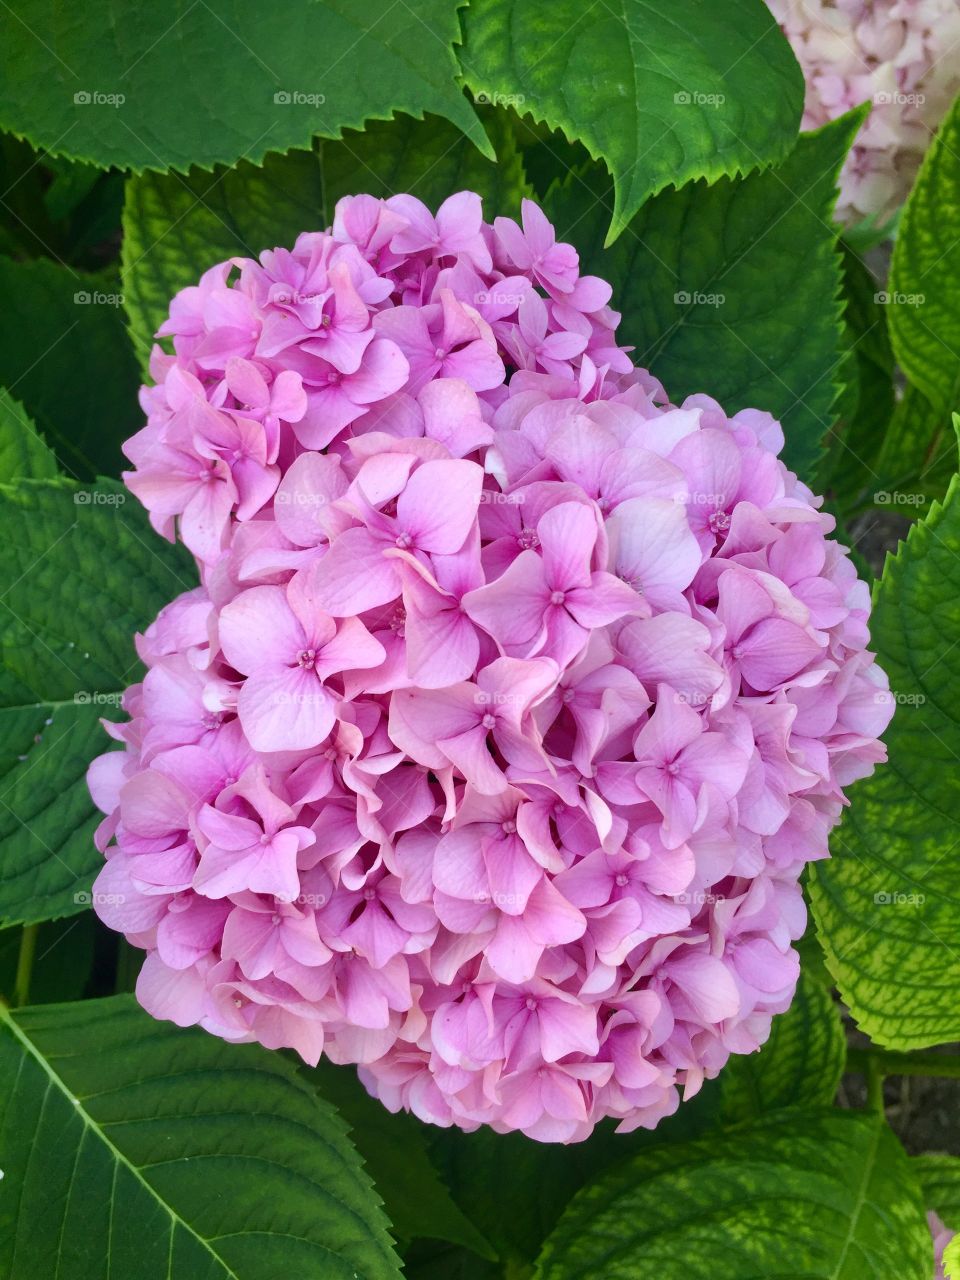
(903, 57)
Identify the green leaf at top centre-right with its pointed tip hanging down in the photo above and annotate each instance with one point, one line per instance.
(662, 94)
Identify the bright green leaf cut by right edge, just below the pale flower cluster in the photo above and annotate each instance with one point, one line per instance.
(925, 308)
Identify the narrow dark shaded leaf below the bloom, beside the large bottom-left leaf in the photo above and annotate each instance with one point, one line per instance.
(396, 1155)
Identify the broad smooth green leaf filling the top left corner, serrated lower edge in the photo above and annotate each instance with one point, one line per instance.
(149, 88)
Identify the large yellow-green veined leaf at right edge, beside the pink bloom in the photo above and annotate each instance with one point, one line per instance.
(886, 903)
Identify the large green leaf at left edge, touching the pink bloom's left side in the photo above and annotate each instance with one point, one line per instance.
(84, 572)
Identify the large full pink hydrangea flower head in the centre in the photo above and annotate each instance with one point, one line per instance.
(514, 700)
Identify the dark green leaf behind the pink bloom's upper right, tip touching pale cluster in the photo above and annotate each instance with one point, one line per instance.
(733, 290)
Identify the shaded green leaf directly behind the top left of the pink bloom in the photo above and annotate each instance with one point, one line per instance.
(176, 228)
